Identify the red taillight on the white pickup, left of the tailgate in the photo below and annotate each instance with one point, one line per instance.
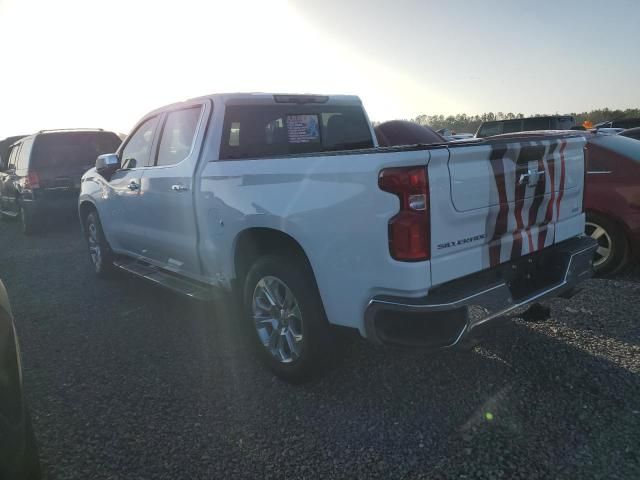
(409, 237)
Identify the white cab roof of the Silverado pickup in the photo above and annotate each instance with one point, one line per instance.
(259, 98)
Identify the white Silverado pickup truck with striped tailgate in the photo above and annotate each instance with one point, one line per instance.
(289, 201)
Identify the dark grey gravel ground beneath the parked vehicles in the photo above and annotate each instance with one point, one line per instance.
(130, 382)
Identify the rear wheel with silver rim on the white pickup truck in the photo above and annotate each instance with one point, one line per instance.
(286, 319)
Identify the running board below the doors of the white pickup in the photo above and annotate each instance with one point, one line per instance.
(174, 282)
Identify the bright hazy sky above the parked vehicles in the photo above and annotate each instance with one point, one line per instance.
(86, 63)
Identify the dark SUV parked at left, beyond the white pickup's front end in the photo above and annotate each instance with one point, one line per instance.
(41, 176)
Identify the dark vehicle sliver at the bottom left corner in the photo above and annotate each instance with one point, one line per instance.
(18, 447)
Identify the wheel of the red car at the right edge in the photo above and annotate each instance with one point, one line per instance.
(613, 247)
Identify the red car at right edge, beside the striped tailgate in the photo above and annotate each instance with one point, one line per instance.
(612, 200)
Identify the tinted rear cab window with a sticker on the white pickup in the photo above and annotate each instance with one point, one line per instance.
(255, 131)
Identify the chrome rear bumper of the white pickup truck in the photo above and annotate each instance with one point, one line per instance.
(458, 309)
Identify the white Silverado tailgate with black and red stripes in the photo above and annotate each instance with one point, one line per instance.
(498, 200)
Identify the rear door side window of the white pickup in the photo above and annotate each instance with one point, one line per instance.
(177, 136)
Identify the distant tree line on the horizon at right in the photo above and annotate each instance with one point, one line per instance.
(469, 123)
